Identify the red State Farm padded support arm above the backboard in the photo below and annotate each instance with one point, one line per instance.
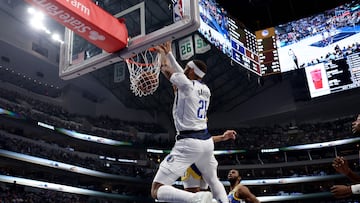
(87, 20)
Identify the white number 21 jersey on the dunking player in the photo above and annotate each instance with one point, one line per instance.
(191, 103)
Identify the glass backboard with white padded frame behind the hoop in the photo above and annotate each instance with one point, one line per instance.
(149, 23)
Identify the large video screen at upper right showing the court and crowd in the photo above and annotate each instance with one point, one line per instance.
(318, 38)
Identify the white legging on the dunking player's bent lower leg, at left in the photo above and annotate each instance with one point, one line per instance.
(167, 193)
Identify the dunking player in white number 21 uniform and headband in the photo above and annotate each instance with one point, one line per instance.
(193, 142)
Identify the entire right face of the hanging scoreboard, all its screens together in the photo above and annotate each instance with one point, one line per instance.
(326, 46)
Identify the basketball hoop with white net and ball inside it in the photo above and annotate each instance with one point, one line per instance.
(144, 69)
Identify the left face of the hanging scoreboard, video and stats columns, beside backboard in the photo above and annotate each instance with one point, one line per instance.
(228, 35)
